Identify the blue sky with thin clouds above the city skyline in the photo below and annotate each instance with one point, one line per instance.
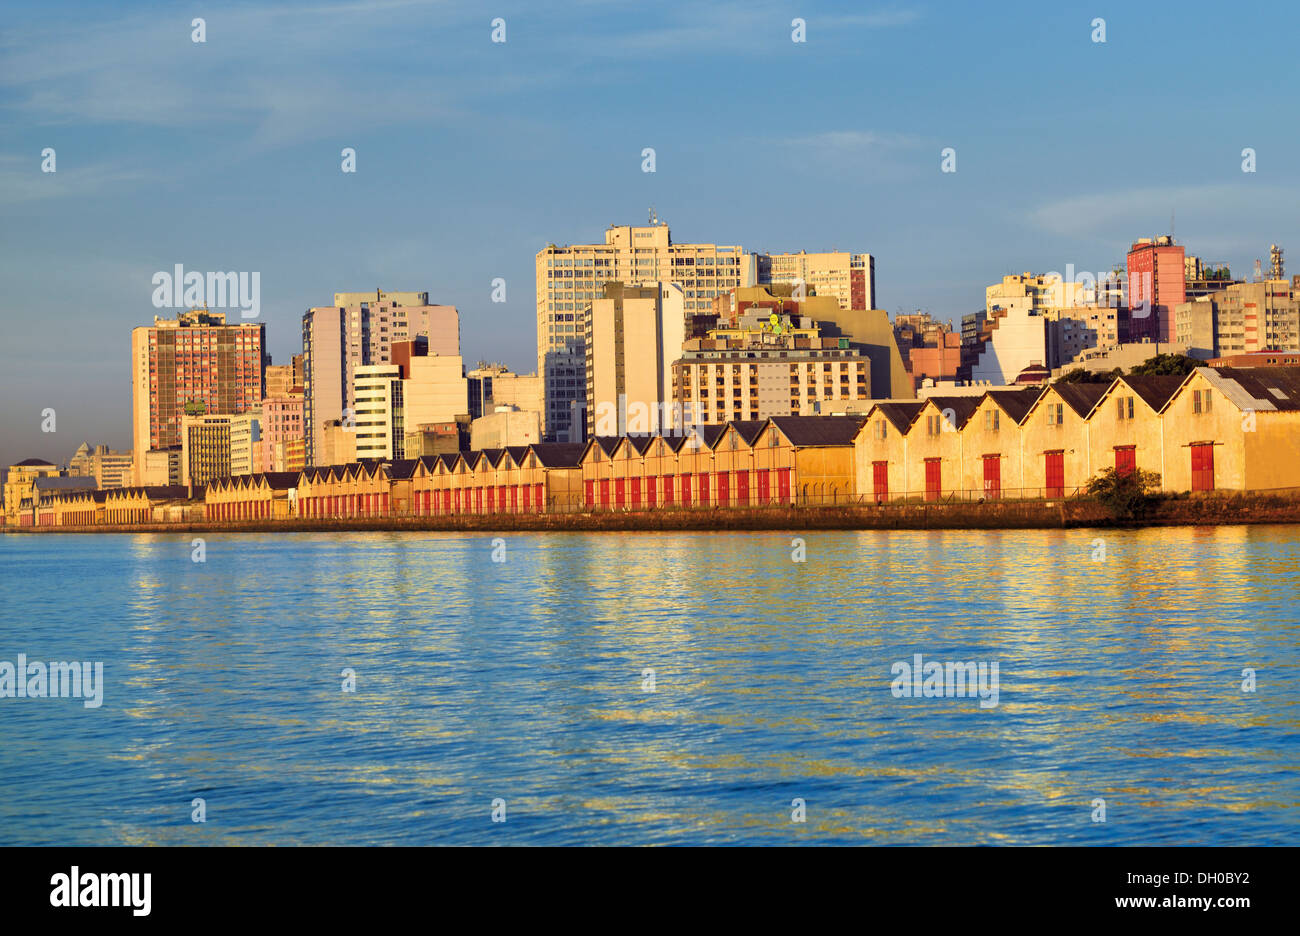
(473, 155)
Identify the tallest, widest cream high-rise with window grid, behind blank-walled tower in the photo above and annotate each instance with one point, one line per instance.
(571, 279)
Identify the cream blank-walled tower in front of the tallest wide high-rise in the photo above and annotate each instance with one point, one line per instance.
(632, 335)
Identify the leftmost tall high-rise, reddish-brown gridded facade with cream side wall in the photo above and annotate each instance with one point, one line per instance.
(196, 363)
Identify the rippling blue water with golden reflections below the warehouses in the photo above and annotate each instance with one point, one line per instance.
(523, 681)
